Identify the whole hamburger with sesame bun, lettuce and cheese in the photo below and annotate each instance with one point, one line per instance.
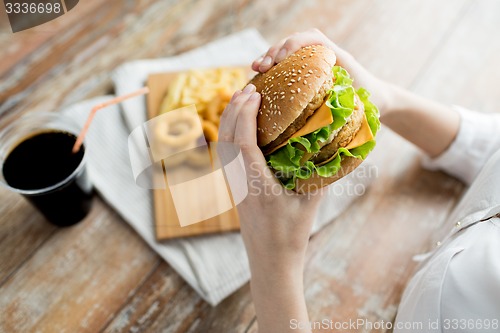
(313, 127)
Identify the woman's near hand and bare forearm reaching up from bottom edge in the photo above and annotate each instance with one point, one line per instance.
(275, 223)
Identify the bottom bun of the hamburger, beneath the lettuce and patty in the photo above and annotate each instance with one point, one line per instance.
(316, 182)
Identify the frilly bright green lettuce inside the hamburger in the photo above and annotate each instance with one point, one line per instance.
(341, 101)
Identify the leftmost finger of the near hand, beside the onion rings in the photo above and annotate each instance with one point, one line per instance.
(230, 114)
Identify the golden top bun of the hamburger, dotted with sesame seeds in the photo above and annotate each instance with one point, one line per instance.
(291, 91)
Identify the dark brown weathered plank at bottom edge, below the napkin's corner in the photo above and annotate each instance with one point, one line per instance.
(165, 302)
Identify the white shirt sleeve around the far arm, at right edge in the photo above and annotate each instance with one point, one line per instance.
(477, 140)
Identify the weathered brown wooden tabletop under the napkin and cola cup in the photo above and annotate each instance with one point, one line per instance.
(99, 276)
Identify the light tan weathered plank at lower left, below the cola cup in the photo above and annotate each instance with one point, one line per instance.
(77, 279)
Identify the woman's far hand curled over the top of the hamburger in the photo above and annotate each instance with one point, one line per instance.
(381, 92)
